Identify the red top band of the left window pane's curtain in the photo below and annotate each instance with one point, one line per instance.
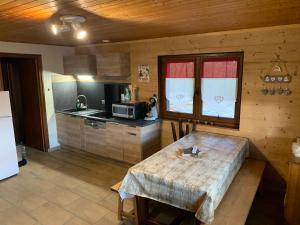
(180, 70)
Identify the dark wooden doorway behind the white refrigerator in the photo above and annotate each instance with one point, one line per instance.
(22, 77)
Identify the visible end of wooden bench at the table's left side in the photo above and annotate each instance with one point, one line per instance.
(132, 215)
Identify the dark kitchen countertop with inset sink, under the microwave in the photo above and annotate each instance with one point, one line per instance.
(133, 123)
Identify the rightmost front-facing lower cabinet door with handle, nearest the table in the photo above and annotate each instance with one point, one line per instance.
(132, 145)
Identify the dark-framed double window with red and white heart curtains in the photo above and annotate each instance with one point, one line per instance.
(206, 87)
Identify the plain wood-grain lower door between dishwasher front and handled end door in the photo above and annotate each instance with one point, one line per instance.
(114, 141)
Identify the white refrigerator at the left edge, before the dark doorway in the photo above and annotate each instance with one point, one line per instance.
(8, 154)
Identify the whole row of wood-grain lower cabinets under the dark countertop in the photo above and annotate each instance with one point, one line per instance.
(112, 140)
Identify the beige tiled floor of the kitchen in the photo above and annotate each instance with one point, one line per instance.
(73, 188)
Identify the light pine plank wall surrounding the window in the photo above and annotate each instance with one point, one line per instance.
(270, 122)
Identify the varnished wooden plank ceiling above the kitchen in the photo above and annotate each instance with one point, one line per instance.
(122, 20)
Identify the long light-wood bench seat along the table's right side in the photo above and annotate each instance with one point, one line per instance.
(236, 204)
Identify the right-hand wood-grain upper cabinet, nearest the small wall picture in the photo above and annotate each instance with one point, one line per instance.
(113, 65)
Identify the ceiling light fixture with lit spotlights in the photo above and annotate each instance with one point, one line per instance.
(68, 22)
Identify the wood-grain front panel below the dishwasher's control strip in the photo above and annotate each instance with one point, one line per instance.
(95, 140)
